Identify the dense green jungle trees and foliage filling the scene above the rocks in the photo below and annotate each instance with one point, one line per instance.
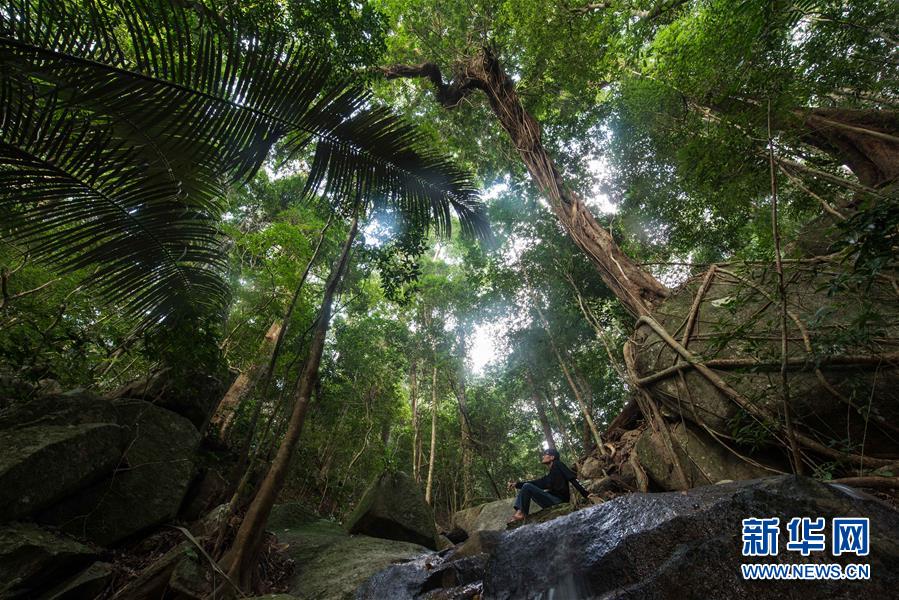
(416, 234)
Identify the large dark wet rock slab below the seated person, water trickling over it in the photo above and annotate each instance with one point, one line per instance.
(644, 545)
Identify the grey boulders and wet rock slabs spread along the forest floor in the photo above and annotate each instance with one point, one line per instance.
(82, 476)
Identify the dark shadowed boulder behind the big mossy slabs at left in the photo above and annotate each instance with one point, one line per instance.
(194, 396)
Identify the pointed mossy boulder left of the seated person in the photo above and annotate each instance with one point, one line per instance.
(393, 508)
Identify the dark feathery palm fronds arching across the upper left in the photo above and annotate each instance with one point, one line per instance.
(122, 123)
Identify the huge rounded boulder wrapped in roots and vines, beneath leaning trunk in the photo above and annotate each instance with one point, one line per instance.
(844, 387)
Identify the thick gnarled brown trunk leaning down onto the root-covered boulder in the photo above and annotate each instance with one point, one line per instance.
(637, 289)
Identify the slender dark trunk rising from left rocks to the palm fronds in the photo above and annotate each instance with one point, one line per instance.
(241, 559)
